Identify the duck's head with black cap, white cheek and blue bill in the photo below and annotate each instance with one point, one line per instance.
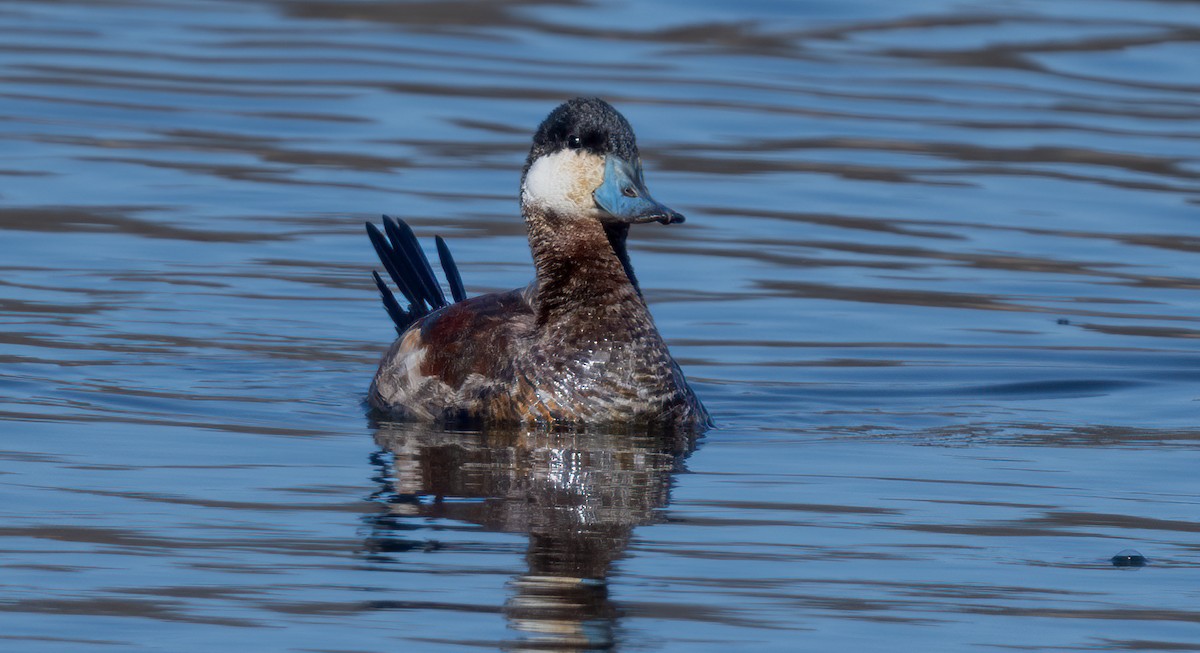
(585, 165)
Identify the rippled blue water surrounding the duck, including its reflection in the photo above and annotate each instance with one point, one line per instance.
(938, 286)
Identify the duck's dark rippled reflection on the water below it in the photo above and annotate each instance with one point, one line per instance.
(578, 495)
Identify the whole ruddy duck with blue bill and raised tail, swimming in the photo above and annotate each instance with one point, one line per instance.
(578, 346)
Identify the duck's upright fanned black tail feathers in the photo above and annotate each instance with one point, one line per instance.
(411, 272)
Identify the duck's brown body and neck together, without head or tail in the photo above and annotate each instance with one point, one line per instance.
(578, 346)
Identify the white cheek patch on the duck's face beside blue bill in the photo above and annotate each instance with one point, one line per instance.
(563, 183)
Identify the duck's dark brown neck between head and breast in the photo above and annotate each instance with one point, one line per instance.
(583, 272)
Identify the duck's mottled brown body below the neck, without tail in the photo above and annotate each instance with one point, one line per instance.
(488, 360)
